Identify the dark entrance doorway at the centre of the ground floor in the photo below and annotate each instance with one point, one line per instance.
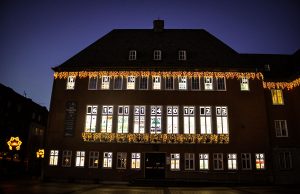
(155, 165)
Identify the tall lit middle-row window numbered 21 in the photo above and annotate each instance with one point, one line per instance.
(139, 119)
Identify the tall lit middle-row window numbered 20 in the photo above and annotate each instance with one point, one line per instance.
(172, 119)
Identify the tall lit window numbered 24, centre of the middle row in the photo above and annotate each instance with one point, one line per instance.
(155, 120)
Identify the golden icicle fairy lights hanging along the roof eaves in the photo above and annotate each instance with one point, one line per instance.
(227, 75)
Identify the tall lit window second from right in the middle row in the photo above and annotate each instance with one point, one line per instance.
(205, 119)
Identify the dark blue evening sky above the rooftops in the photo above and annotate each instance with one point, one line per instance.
(37, 35)
